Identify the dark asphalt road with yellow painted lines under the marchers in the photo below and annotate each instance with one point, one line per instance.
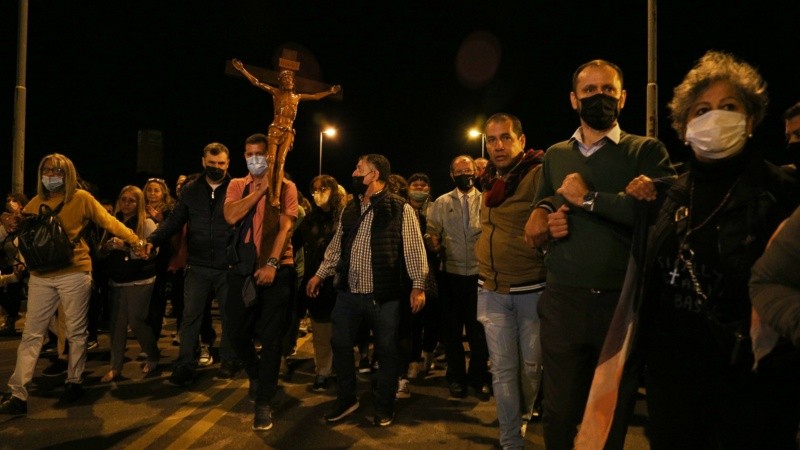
(149, 413)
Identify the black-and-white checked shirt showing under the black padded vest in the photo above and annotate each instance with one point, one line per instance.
(360, 276)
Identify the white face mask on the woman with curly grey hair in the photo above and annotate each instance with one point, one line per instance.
(717, 134)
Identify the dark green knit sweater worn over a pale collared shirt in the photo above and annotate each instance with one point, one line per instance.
(595, 253)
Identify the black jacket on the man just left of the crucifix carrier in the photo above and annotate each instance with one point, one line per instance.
(207, 233)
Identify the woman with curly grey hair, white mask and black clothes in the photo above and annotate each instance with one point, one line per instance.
(704, 231)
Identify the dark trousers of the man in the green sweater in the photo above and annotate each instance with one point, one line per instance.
(574, 324)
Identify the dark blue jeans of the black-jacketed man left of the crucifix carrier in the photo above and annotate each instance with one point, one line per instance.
(198, 282)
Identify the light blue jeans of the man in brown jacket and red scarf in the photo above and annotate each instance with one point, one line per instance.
(512, 335)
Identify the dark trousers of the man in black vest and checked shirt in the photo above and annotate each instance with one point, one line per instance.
(350, 311)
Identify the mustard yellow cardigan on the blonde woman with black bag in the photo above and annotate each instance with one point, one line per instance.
(75, 216)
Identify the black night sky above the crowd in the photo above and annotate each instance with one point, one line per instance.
(416, 75)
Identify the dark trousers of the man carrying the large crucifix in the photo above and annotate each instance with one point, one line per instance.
(265, 320)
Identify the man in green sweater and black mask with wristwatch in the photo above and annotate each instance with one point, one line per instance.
(583, 218)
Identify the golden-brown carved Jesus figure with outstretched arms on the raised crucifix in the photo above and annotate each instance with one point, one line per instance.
(280, 135)
